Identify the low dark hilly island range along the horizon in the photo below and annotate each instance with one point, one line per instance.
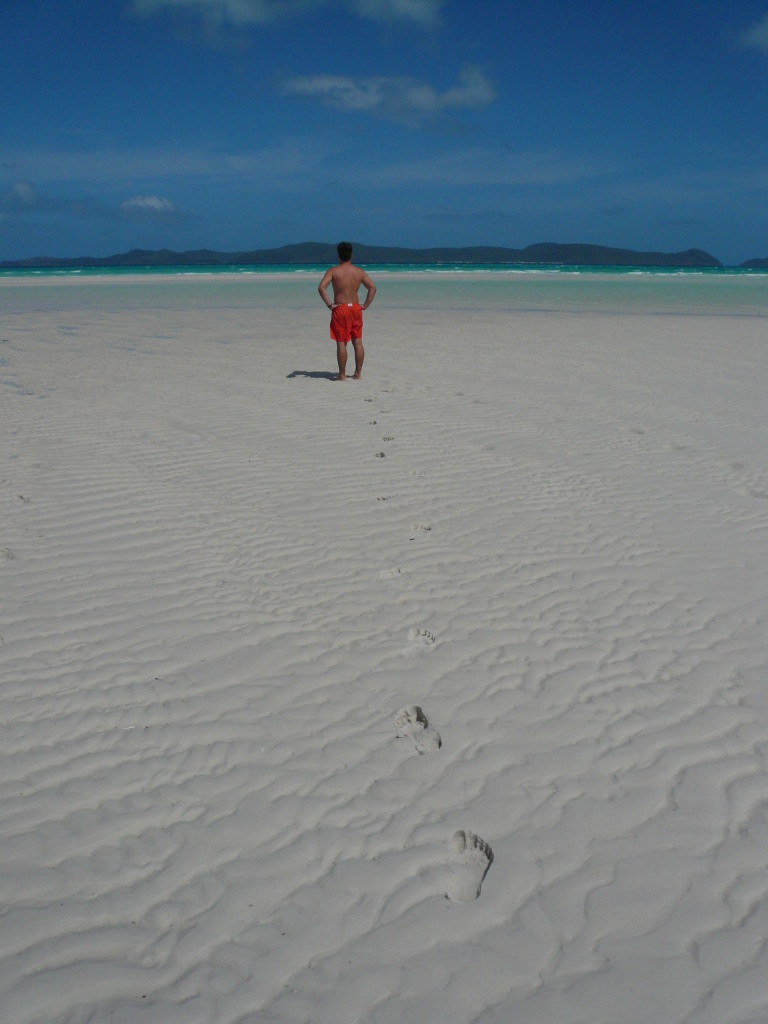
(325, 253)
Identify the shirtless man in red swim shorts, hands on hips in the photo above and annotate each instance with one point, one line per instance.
(347, 313)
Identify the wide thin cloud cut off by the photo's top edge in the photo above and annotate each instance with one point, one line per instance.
(253, 13)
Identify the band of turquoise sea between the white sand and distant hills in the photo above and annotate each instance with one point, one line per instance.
(550, 289)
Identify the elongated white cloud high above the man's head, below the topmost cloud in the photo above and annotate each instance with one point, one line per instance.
(404, 99)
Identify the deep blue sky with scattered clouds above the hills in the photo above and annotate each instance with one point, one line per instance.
(247, 124)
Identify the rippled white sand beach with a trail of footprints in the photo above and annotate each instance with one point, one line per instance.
(219, 599)
